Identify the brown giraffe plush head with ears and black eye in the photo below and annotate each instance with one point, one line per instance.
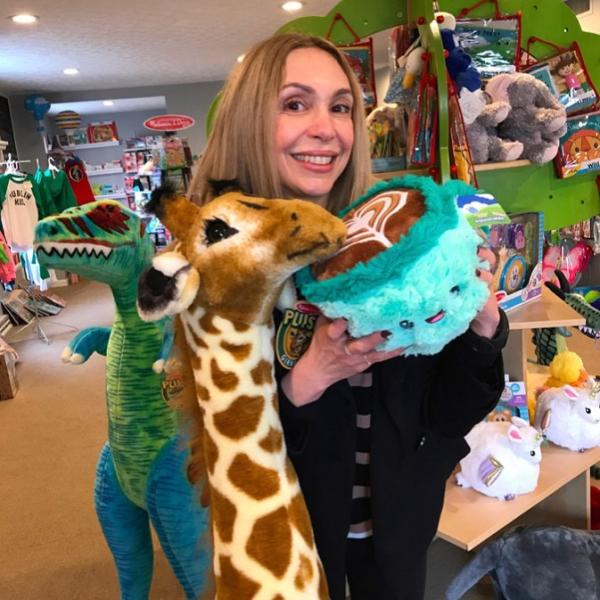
(234, 253)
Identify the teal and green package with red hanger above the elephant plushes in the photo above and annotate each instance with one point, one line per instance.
(493, 44)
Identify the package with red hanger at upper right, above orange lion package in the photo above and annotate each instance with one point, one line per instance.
(566, 77)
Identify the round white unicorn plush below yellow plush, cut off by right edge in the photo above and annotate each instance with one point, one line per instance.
(570, 416)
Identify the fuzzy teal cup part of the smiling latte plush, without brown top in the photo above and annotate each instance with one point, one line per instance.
(423, 288)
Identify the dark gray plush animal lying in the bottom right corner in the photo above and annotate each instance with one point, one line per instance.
(531, 563)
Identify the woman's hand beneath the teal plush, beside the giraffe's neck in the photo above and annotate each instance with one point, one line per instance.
(330, 357)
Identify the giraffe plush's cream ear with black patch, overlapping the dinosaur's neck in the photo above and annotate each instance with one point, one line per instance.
(168, 287)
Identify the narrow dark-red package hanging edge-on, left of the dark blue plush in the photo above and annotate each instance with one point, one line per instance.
(422, 124)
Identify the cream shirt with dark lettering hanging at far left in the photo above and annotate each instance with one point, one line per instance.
(21, 210)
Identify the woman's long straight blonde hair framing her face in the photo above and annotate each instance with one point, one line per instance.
(241, 144)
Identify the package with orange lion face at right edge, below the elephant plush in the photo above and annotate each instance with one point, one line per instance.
(579, 149)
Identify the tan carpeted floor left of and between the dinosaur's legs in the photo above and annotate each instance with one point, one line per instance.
(50, 436)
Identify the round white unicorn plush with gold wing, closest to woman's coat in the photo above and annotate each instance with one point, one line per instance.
(504, 460)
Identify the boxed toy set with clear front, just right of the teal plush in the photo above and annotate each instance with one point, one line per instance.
(518, 246)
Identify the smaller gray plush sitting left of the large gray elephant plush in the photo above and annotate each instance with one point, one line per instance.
(482, 117)
